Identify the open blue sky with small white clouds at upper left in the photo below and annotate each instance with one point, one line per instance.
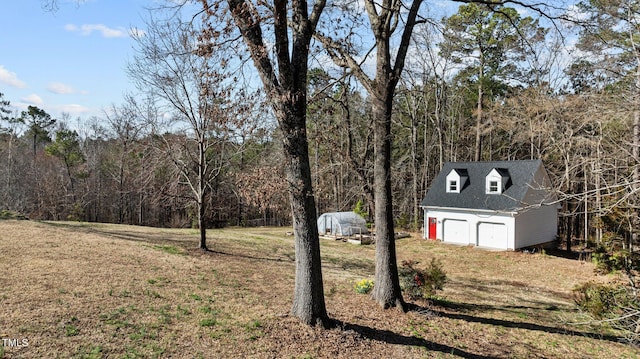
(72, 60)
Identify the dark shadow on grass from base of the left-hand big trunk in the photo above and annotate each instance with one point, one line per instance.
(390, 337)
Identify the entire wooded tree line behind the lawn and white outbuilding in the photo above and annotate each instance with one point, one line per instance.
(482, 84)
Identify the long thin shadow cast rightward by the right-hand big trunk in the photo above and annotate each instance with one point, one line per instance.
(511, 324)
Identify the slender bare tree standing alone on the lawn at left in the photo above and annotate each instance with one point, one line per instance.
(169, 65)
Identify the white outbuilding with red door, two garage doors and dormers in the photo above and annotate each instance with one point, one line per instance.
(503, 205)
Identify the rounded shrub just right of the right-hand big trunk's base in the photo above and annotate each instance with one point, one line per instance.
(418, 283)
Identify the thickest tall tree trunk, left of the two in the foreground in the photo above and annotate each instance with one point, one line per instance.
(287, 92)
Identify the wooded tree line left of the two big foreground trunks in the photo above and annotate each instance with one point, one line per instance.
(116, 169)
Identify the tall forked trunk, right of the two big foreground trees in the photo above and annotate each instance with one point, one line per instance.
(383, 18)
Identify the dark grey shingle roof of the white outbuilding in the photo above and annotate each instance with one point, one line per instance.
(473, 196)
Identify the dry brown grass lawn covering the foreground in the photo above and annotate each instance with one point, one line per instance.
(93, 290)
